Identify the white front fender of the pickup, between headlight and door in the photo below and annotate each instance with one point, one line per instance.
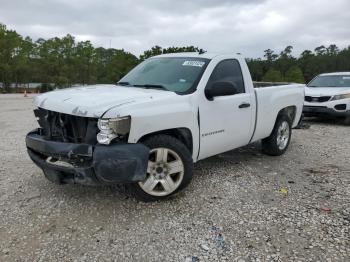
(174, 111)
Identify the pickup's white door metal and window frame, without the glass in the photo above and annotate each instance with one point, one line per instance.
(223, 114)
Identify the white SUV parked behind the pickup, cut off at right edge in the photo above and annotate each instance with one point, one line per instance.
(328, 95)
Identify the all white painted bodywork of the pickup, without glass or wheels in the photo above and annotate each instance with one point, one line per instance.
(156, 110)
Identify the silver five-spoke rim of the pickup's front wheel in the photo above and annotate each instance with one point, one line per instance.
(165, 172)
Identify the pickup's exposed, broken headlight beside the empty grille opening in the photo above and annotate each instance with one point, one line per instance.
(112, 128)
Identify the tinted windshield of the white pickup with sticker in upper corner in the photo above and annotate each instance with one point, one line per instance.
(177, 74)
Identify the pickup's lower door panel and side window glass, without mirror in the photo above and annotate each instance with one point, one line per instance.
(226, 121)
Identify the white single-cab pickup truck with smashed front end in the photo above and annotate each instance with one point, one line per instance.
(148, 130)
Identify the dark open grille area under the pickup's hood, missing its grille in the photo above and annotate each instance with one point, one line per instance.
(67, 128)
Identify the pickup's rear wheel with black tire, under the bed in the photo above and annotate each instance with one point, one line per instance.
(277, 143)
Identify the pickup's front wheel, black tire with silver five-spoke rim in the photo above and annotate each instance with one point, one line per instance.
(167, 155)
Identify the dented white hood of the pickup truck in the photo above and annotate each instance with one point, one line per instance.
(95, 100)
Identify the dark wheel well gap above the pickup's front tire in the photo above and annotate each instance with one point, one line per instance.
(182, 134)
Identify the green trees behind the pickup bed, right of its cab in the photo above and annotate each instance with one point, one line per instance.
(283, 67)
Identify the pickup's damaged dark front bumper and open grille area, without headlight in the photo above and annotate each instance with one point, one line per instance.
(65, 147)
